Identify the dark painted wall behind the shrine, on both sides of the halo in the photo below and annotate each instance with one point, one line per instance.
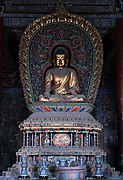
(17, 15)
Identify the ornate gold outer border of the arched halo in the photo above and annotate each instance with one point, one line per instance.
(58, 17)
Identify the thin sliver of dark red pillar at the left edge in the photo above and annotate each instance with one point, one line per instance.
(1, 52)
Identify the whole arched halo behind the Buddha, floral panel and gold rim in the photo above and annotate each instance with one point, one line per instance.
(60, 28)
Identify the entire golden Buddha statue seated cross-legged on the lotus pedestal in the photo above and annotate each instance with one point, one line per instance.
(61, 82)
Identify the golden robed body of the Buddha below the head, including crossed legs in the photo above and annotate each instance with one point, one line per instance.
(62, 84)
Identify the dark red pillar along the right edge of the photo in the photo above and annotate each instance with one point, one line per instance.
(119, 81)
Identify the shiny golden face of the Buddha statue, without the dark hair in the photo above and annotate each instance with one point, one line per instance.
(60, 60)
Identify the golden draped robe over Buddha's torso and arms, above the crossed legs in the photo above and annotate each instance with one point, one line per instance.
(60, 81)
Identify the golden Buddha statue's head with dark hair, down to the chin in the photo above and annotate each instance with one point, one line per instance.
(60, 57)
